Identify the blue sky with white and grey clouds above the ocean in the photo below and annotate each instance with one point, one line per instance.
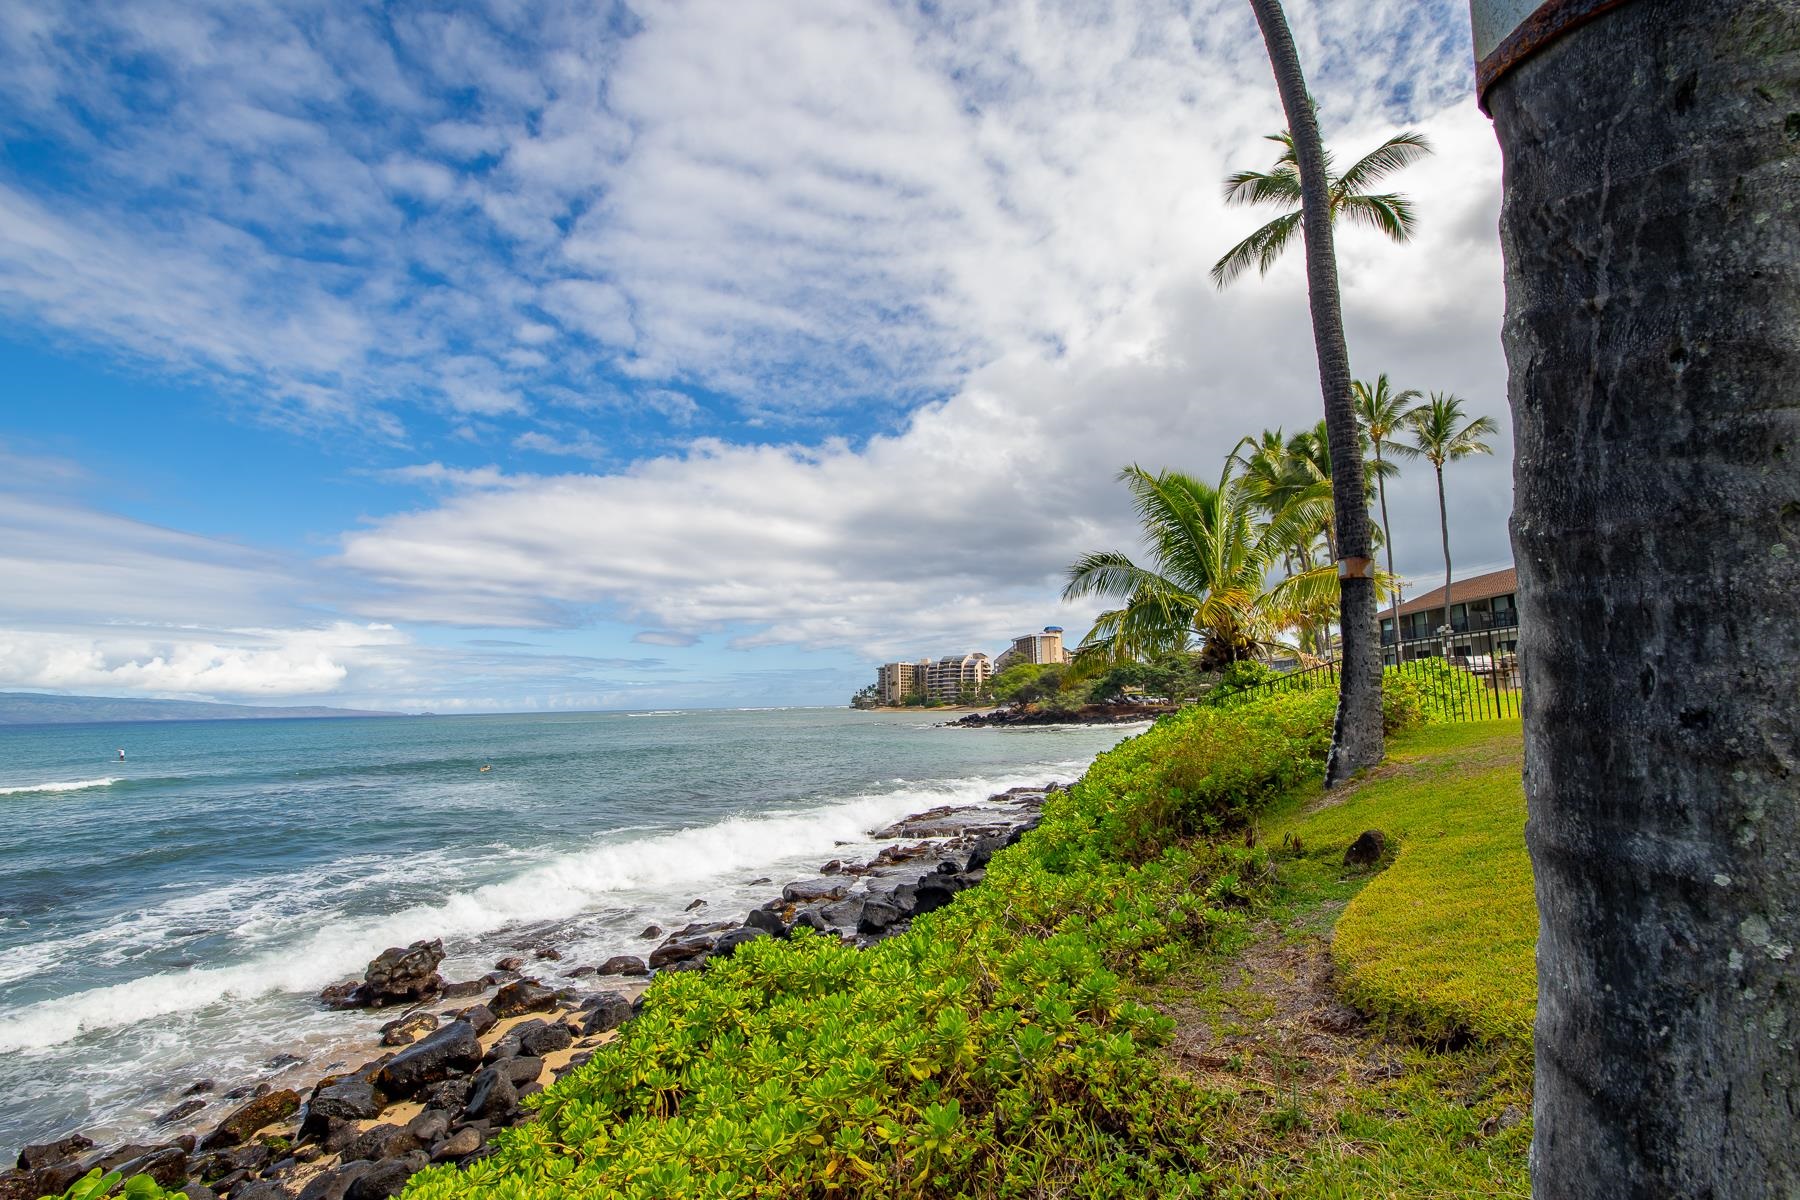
(678, 354)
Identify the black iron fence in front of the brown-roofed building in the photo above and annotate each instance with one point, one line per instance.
(1470, 676)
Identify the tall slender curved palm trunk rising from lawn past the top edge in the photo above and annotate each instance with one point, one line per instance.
(1358, 735)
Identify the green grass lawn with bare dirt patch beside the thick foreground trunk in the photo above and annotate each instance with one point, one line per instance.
(1430, 1097)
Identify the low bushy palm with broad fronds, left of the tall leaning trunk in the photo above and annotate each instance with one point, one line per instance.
(1210, 562)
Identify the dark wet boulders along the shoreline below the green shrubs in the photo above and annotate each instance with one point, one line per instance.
(460, 1059)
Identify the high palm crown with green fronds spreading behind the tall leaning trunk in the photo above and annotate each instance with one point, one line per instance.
(1349, 193)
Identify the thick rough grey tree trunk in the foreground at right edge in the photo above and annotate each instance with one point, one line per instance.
(1653, 336)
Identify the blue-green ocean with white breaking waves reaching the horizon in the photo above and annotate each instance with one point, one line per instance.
(174, 917)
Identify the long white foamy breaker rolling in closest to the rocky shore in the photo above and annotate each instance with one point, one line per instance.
(645, 873)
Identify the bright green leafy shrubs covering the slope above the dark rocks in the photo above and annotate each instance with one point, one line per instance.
(994, 1050)
